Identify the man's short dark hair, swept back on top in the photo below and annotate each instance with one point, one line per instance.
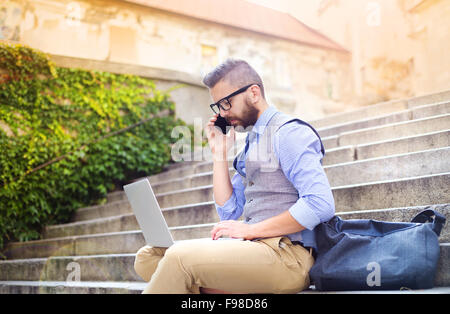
(236, 72)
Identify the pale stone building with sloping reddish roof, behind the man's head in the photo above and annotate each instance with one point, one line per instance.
(306, 74)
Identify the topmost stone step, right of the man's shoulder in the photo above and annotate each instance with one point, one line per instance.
(380, 109)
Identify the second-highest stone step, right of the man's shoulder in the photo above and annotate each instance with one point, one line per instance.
(406, 115)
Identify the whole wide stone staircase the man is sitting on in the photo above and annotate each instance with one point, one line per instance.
(387, 162)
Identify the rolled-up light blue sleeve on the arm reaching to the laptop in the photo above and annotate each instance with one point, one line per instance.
(299, 152)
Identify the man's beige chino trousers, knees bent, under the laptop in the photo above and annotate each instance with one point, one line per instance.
(272, 265)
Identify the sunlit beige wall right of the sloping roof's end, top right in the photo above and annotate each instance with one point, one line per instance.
(399, 47)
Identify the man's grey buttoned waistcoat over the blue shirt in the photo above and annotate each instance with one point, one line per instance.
(267, 190)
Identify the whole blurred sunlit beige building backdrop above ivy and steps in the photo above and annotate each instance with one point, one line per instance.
(316, 57)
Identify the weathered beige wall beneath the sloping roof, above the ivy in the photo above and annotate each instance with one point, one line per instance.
(301, 80)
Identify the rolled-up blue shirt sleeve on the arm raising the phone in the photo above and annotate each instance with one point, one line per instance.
(234, 207)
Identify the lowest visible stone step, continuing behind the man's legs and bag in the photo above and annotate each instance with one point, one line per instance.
(115, 268)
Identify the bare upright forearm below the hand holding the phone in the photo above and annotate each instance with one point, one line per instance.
(222, 186)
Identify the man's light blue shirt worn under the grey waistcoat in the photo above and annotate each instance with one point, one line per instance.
(299, 153)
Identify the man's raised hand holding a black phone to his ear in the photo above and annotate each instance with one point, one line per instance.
(220, 143)
